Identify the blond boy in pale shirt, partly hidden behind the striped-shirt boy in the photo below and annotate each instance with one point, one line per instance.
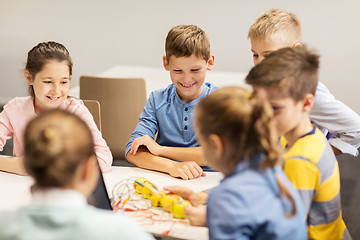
(277, 29)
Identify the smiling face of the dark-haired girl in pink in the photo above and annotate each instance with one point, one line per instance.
(51, 85)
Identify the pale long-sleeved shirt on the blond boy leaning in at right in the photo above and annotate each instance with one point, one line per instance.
(334, 116)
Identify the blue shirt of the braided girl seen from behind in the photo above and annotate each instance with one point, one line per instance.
(248, 205)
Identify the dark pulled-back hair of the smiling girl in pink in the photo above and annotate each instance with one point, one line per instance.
(41, 54)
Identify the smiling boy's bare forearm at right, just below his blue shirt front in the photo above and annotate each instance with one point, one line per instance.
(184, 154)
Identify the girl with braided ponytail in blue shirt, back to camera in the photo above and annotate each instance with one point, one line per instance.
(254, 200)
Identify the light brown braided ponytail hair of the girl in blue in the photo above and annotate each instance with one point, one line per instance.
(245, 125)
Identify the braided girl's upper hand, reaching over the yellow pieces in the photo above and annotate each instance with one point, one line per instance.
(195, 199)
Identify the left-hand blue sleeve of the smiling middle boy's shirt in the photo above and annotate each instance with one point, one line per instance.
(148, 124)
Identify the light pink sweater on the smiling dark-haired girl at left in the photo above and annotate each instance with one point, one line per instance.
(19, 111)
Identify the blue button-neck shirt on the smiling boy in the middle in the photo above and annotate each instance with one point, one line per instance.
(166, 114)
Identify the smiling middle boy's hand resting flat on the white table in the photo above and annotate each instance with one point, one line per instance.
(186, 170)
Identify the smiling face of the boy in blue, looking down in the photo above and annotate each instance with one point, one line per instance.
(188, 75)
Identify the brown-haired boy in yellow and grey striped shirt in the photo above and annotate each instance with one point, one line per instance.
(289, 78)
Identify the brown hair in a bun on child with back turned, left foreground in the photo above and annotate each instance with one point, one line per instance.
(56, 143)
